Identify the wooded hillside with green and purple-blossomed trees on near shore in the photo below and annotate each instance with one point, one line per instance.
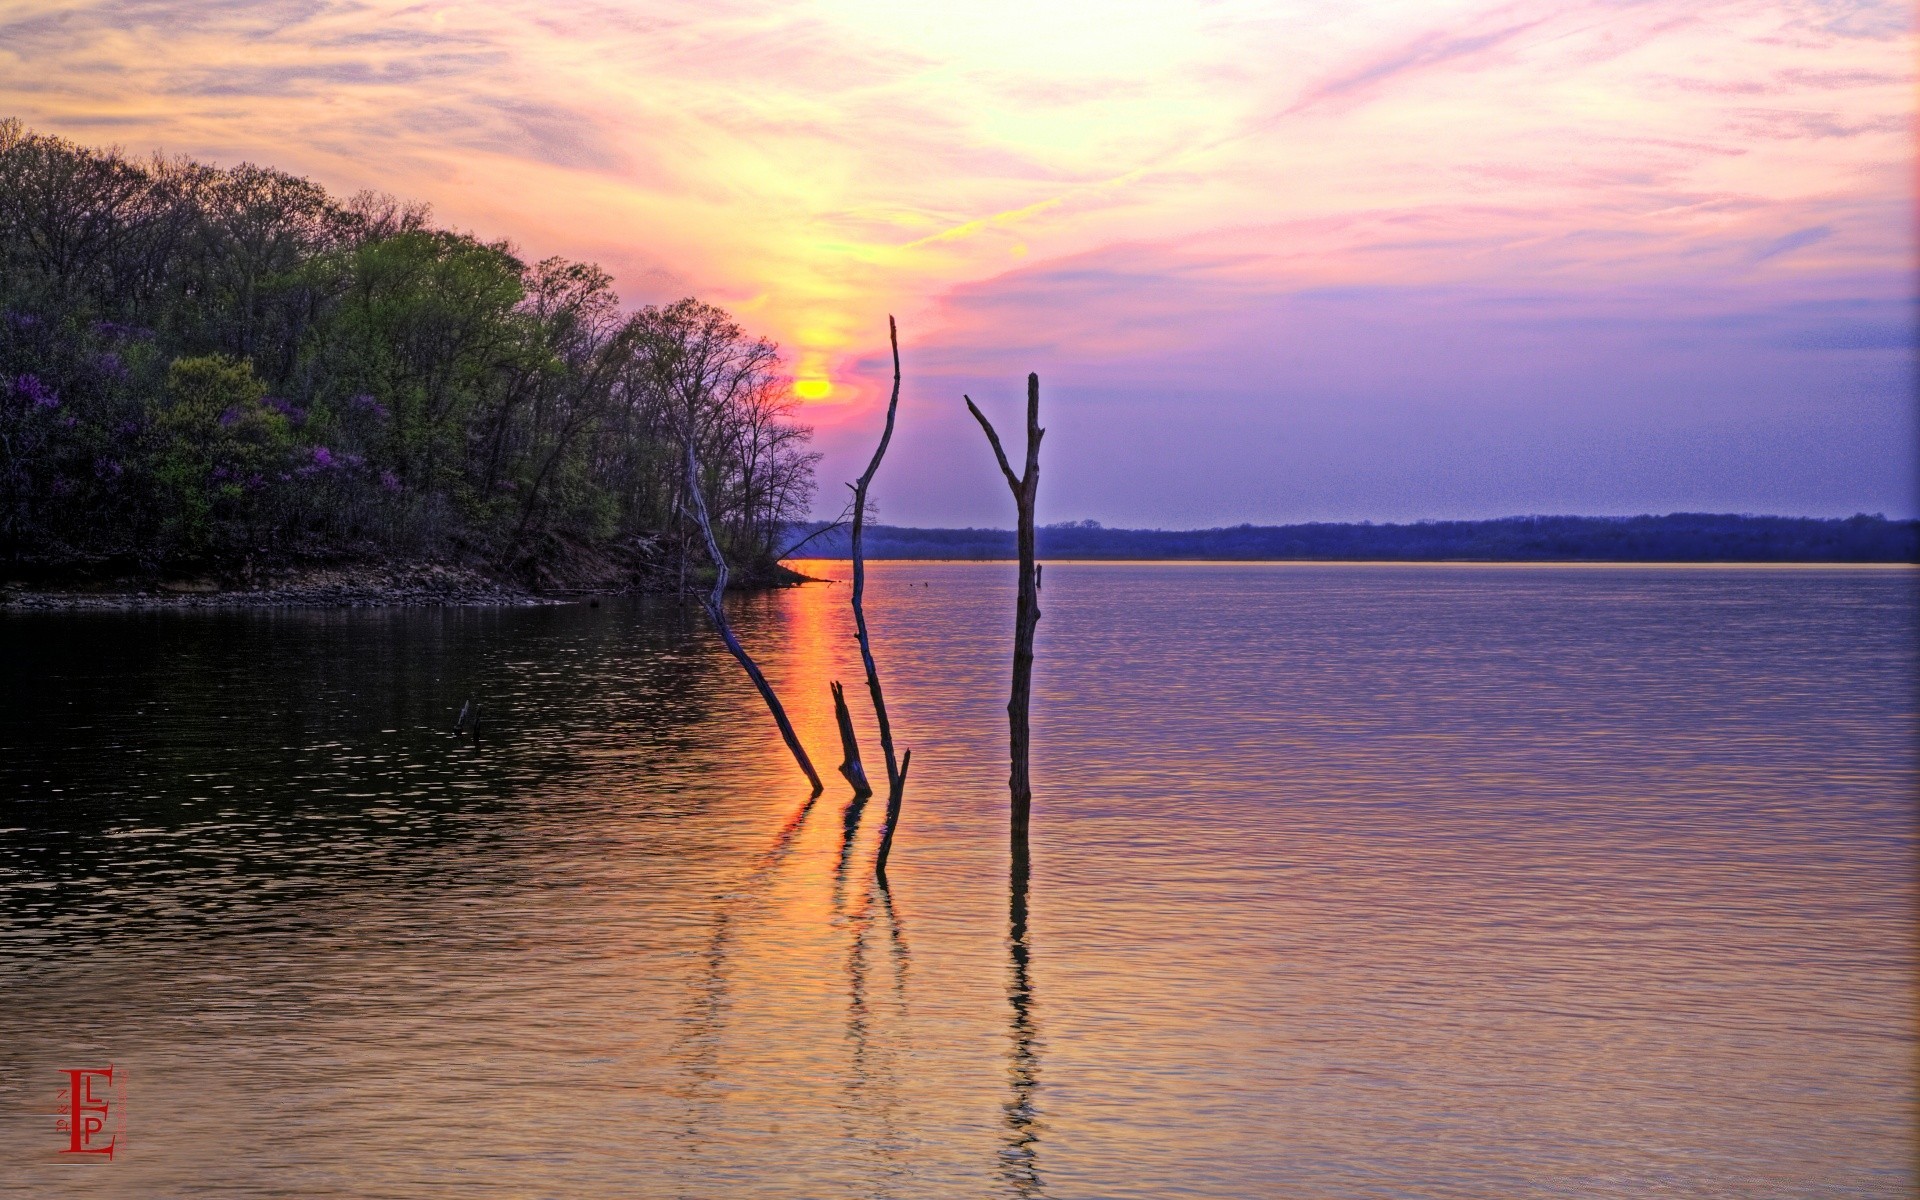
(201, 364)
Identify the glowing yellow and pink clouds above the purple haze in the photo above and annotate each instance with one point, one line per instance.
(1115, 187)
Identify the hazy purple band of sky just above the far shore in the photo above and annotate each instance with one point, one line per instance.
(1397, 404)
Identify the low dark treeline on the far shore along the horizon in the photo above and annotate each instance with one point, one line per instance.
(1675, 539)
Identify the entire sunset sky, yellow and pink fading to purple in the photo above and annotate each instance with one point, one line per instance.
(1274, 262)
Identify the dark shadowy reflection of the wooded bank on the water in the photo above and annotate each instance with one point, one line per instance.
(293, 761)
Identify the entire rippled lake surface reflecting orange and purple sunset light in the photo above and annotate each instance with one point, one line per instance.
(1347, 882)
